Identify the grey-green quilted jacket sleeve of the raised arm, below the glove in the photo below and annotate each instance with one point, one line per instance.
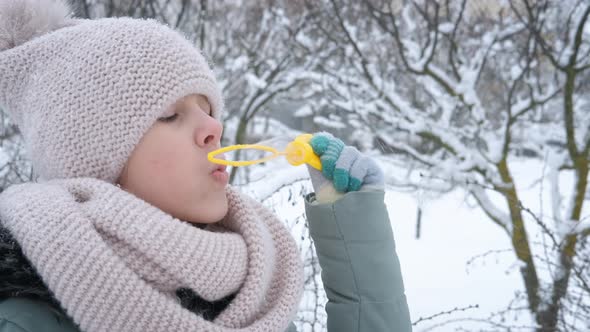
(360, 268)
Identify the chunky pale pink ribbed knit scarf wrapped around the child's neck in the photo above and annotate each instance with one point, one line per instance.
(114, 261)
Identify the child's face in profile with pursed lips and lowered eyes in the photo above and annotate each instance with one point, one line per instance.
(169, 167)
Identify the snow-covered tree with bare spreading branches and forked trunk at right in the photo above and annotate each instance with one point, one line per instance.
(461, 91)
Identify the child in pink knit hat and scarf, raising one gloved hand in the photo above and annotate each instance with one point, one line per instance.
(130, 228)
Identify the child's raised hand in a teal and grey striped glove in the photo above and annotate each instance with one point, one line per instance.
(344, 169)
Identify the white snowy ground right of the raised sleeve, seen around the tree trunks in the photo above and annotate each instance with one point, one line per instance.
(462, 259)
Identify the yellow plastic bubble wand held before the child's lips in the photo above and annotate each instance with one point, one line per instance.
(297, 152)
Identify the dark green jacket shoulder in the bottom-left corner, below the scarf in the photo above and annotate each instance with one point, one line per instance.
(26, 315)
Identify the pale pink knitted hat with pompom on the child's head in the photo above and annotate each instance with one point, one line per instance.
(84, 92)
